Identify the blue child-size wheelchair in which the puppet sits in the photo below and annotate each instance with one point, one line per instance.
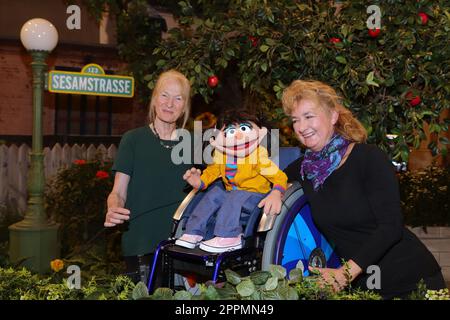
(283, 239)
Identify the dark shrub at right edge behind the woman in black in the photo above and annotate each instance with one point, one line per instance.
(425, 196)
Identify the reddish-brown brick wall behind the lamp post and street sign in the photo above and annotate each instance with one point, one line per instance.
(16, 87)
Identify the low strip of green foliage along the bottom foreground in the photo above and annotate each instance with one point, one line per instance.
(21, 284)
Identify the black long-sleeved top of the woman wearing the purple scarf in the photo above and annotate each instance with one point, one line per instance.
(358, 210)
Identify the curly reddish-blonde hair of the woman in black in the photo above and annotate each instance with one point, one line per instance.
(325, 96)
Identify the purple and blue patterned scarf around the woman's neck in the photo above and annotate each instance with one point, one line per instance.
(318, 166)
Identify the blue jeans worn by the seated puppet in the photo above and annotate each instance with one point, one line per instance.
(228, 205)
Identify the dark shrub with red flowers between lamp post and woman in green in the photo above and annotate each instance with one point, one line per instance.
(76, 198)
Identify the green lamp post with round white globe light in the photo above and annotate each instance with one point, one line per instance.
(34, 240)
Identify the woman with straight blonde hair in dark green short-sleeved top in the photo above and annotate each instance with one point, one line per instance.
(148, 186)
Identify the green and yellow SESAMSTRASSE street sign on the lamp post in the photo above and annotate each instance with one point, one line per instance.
(92, 80)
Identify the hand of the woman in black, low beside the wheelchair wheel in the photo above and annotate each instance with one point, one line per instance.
(338, 278)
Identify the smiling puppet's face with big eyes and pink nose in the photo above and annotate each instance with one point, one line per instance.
(239, 139)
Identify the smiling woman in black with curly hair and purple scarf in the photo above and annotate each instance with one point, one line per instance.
(354, 197)
